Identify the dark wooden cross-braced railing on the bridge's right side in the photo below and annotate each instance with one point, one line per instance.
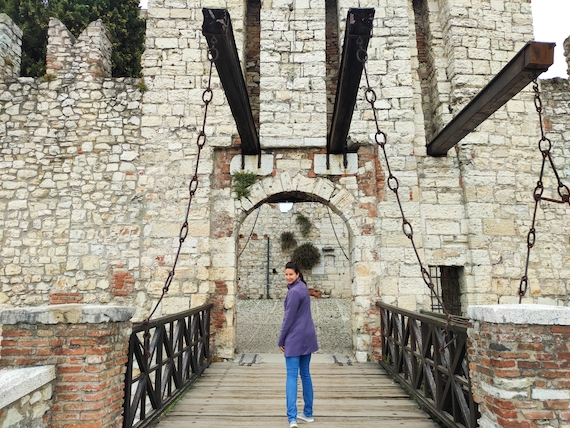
(430, 365)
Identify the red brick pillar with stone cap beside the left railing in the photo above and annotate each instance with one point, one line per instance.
(88, 344)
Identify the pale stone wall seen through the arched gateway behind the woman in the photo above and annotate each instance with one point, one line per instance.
(331, 277)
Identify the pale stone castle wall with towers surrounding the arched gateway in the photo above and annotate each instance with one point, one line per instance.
(95, 171)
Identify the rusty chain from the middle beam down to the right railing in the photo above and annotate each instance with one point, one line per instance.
(393, 184)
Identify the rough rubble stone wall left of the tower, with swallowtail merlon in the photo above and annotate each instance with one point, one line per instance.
(69, 206)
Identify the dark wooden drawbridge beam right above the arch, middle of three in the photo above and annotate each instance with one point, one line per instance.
(358, 26)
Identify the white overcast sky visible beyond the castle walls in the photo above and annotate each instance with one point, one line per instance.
(551, 24)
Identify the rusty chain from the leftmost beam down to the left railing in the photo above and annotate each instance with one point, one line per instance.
(207, 96)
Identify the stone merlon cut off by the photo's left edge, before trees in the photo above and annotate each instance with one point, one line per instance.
(10, 48)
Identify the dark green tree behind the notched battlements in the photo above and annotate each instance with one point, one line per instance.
(121, 17)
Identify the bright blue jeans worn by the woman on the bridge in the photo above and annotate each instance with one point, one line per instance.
(296, 366)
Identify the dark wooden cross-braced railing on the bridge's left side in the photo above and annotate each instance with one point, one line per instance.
(177, 354)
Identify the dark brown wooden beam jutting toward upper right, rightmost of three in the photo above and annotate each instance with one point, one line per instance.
(529, 63)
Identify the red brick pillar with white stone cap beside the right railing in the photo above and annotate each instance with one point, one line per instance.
(519, 357)
